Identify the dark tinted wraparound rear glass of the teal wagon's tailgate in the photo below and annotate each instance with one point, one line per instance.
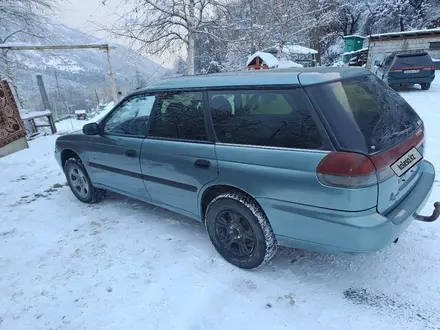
(381, 116)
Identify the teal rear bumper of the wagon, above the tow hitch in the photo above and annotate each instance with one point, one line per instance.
(331, 231)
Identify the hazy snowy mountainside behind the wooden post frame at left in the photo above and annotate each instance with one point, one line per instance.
(71, 77)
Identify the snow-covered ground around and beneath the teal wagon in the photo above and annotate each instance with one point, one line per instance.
(123, 264)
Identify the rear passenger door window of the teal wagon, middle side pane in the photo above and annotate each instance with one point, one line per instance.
(179, 115)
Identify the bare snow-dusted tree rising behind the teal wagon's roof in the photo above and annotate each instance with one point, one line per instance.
(160, 26)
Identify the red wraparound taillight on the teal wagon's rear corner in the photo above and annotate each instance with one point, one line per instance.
(346, 169)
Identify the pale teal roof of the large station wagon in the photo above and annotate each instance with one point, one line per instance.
(271, 77)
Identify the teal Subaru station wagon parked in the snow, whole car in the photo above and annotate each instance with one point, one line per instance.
(324, 159)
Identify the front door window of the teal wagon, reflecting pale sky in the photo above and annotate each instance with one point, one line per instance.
(131, 117)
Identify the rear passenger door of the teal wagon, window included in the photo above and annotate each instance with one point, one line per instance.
(177, 158)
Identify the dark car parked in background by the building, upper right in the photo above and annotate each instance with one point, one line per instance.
(407, 69)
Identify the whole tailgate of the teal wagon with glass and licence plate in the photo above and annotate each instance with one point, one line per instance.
(370, 118)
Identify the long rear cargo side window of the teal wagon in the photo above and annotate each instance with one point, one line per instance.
(278, 118)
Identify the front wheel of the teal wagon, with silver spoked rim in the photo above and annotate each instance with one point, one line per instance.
(79, 182)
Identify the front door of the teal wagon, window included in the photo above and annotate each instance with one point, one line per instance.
(114, 154)
